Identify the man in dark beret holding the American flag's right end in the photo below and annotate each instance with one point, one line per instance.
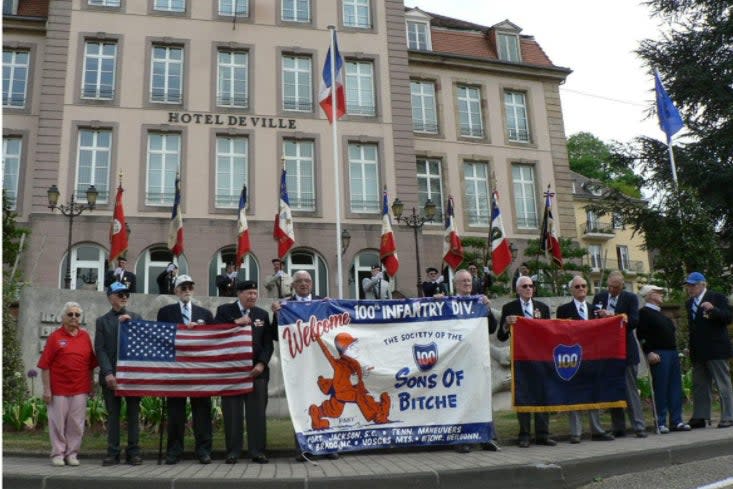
(245, 313)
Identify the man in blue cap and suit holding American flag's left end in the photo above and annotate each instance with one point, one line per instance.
(105, 347)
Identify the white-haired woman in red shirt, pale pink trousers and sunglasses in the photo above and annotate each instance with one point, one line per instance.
(67, 364)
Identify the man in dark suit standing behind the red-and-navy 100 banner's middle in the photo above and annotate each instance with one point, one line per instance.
(579, 309)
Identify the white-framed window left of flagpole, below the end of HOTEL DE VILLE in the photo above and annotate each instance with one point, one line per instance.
(300, 165)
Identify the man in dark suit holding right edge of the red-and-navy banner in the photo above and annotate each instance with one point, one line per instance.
(615, 300)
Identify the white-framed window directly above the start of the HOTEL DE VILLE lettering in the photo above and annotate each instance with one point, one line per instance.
(166, 75)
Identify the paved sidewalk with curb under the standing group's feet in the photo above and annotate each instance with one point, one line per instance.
(564, 466)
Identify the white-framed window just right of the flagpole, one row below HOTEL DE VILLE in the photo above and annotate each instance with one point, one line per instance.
(364, 178)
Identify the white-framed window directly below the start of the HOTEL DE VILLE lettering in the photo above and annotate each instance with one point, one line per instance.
(164, 161)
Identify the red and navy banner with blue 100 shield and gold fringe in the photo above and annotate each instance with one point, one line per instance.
(566, 365)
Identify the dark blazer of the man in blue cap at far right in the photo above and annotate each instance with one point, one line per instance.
(709, 339)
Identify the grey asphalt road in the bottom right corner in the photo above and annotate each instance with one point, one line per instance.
(715, 473)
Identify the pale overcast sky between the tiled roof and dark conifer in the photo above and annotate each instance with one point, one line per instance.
(609, 92)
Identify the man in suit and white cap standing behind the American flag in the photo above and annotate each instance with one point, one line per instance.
(184, 311)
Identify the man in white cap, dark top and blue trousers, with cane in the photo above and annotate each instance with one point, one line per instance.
(657, 334)
